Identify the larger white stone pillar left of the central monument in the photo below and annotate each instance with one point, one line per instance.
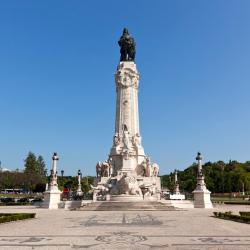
(52, 194)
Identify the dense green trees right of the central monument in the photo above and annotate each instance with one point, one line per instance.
(220, 177)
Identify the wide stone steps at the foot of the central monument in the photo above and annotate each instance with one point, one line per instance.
(126, 206)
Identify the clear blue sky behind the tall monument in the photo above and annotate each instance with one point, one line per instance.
(57, 65)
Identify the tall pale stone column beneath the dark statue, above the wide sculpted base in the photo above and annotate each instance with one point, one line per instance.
(127, 152)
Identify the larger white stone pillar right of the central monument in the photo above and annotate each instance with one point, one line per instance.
(201, 193)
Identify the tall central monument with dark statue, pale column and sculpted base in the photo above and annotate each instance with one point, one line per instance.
(128, 174)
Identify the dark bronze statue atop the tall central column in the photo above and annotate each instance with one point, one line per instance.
(127, 45)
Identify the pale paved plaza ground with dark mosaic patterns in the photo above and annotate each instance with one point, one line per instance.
(182, 229)
